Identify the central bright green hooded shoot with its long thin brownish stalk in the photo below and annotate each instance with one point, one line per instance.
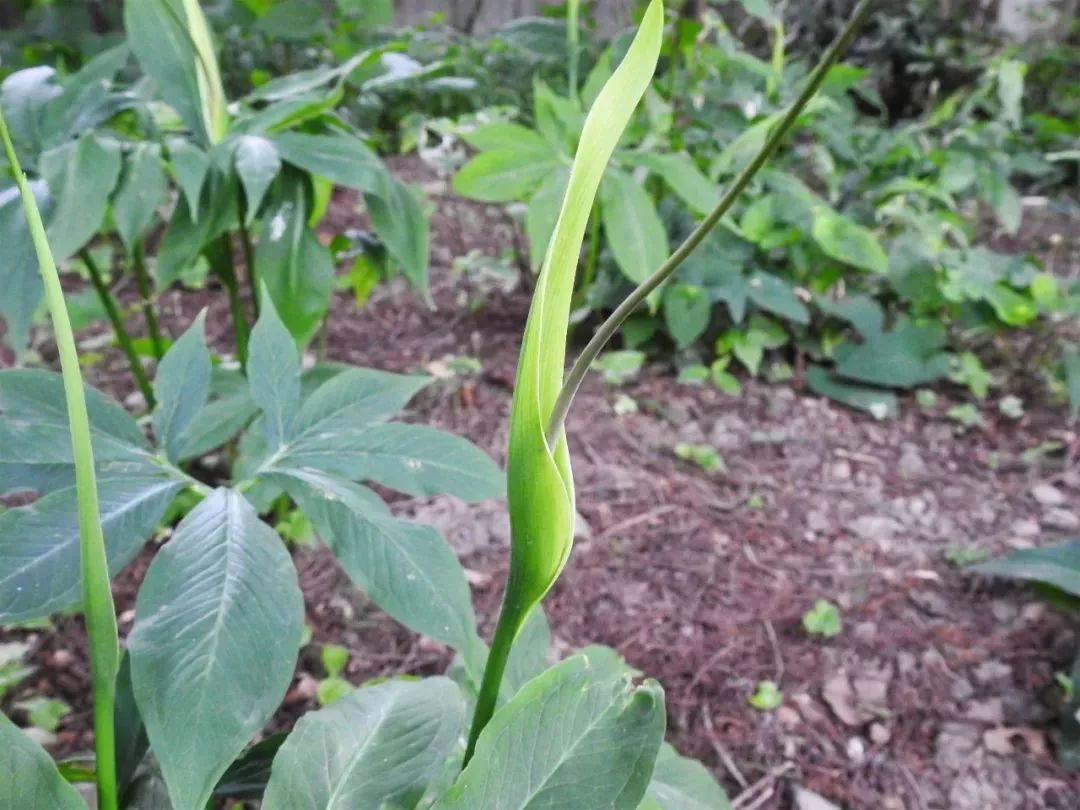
(541, 484)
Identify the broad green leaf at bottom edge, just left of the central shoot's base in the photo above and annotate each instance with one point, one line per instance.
(374, 749)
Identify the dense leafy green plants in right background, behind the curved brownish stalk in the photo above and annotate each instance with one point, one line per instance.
(855, 262)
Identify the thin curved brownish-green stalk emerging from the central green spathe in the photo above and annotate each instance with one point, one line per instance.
(609, 329)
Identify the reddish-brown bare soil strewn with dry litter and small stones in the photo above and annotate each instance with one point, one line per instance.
(938, 694)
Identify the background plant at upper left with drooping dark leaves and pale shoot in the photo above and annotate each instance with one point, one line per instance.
(166, 180)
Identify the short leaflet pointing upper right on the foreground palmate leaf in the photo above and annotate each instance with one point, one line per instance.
(358, 397)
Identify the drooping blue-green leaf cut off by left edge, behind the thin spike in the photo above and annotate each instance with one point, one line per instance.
(19, 265)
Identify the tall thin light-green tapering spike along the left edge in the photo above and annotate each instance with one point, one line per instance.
(99, 610)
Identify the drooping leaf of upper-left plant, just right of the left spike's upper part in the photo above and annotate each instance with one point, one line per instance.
(82, 175)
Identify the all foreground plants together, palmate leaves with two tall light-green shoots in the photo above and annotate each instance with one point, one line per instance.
(219, 619)
